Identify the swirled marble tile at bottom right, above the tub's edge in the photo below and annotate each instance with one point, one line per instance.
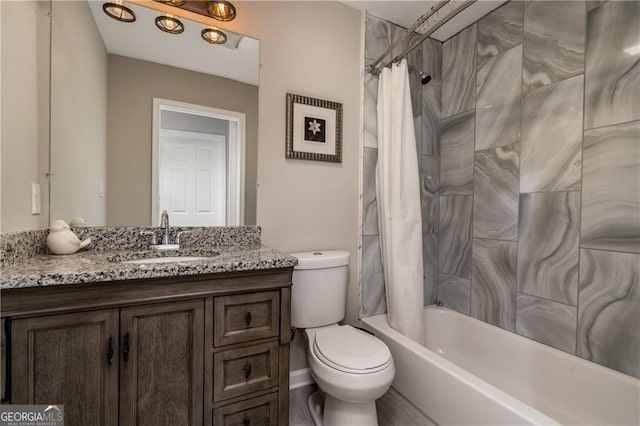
(609, 310)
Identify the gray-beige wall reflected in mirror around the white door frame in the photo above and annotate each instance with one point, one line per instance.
(132, 86)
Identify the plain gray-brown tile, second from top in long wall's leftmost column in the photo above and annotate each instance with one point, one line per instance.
(456, 154)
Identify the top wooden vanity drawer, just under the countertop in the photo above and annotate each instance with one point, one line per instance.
(246, 317)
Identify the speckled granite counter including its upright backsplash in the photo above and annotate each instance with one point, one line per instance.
(227, 249)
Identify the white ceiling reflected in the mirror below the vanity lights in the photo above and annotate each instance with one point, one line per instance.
(142, 40)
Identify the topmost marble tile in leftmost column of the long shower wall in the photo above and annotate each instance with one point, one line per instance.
(459, 73)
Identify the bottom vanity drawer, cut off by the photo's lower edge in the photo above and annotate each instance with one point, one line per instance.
(260, 411)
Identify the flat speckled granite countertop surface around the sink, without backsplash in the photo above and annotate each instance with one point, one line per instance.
(104, 266)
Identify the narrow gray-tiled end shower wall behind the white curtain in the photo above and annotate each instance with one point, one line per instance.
(379, 35)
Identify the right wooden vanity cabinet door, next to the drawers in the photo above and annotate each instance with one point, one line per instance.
(161, 364)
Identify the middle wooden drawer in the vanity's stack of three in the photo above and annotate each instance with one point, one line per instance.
(244, 370)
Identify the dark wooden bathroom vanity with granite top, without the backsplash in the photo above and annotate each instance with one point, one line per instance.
(176, 343)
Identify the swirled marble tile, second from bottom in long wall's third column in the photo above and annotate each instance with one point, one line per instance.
(548, 245)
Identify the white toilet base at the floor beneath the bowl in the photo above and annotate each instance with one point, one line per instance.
(340, 413)
